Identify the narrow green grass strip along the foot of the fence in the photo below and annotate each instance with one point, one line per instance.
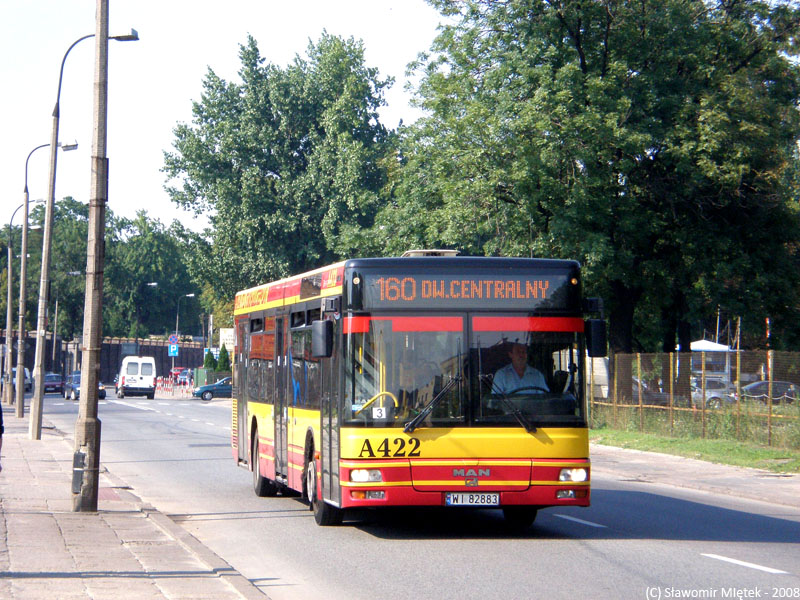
(727, 452)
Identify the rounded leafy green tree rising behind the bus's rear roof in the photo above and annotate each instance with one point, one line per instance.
(286, 163)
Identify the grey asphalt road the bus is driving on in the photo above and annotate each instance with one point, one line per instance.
(638, 540)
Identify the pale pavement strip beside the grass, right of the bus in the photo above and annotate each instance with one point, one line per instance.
(652, 467)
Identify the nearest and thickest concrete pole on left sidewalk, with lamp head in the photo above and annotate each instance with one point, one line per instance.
(87, 428)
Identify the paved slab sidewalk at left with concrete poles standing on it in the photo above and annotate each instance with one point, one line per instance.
(126, 550)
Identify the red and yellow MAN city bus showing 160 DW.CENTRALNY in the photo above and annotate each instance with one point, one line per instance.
(378, 382)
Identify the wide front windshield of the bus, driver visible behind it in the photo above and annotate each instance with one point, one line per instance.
(499, 370)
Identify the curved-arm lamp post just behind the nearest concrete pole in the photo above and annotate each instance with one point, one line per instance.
(35, 430)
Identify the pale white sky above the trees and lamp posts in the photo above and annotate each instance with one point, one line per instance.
(153, 82)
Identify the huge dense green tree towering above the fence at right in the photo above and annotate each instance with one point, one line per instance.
(650, 140)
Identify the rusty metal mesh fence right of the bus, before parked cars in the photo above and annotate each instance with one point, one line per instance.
(750, 396)
